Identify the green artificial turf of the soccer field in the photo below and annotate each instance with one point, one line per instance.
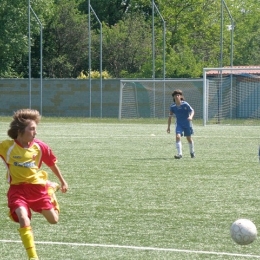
(129, 198)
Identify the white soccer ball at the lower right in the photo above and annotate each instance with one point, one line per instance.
(243, 231)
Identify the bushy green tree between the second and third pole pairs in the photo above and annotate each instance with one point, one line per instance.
(126, 46)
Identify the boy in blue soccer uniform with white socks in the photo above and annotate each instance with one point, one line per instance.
(184, 114)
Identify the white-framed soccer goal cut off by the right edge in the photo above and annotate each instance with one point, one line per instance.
(231, 95)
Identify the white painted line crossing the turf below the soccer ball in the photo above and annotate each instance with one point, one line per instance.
(139, 248)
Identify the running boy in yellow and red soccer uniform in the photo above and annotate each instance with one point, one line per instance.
(29, 188)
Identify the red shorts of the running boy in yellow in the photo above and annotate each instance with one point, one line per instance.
(30, 196)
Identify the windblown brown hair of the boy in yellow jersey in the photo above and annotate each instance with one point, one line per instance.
(21, 119)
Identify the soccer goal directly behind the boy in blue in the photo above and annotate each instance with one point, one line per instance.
(152, 98)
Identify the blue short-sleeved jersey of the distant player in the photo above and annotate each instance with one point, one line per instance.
(182, 113)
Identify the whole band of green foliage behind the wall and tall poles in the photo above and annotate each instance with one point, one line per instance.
(192, 36)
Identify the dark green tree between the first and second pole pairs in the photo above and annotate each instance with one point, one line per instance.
(66, 42)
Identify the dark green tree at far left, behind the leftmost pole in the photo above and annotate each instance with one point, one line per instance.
(14, 34)
